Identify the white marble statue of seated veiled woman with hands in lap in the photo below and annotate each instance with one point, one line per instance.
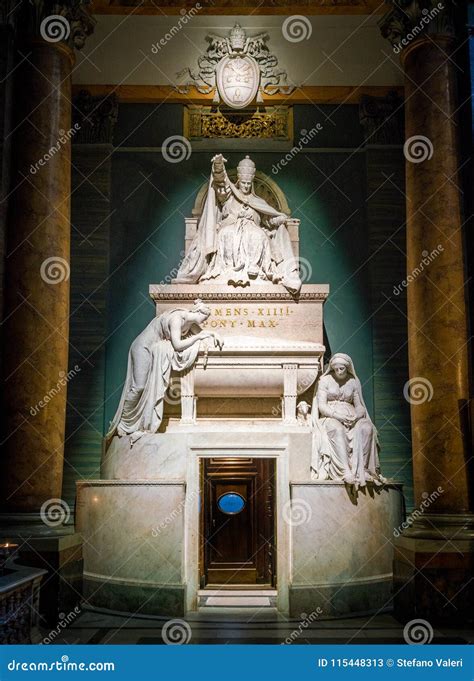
(345, 443)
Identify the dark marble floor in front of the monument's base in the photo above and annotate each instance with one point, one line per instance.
(224, 625)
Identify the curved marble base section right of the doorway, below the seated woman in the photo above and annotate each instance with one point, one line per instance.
(342, 548)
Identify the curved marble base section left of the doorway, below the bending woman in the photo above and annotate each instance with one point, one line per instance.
(133, 545)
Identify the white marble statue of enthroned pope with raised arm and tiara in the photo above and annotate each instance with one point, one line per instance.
(240, 237)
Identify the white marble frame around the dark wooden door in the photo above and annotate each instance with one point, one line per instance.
(192, 512)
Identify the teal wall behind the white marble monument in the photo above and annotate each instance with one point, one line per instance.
(326, 187)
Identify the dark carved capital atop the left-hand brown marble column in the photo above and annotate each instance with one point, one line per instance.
(62, 22)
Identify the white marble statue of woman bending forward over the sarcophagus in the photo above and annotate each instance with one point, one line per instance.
(169, 342)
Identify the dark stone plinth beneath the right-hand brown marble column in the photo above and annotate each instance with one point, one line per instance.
(433, 570)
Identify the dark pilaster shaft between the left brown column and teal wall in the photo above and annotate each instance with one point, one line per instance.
(90, 245)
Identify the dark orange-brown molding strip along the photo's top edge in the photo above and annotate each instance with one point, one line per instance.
(238, 7)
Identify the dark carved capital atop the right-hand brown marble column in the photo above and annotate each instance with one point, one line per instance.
(409, 21)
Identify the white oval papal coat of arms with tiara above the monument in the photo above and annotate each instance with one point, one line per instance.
(238, 69)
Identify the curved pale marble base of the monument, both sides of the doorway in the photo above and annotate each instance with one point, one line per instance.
(140, 524)
